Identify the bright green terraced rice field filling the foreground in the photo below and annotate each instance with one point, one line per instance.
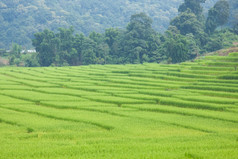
(183, 111)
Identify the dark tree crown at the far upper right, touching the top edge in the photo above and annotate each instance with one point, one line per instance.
(217, 16)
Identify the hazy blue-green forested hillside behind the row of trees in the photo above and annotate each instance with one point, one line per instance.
(20, 19)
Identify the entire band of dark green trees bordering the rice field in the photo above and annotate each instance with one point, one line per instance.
(189, 35)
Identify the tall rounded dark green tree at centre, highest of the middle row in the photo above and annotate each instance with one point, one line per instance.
(138, 39)
